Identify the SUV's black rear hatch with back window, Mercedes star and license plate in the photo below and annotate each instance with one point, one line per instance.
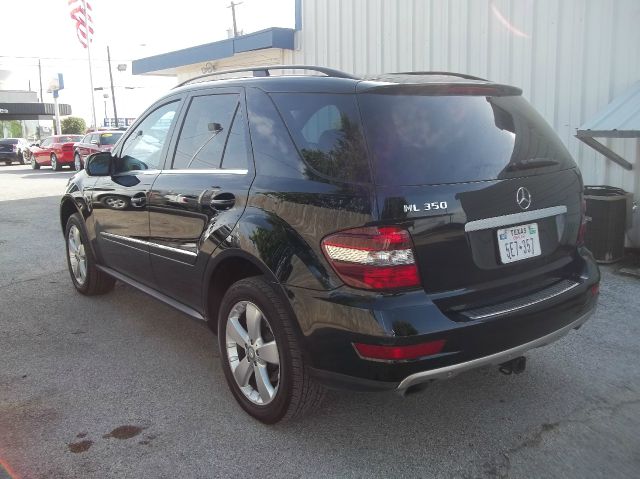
(490, 195)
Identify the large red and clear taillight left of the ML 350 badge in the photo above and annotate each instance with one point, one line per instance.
(375, 257)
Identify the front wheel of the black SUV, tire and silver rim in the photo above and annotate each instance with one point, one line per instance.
(92, 281)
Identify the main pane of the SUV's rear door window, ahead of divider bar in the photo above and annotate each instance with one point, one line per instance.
(205, 130)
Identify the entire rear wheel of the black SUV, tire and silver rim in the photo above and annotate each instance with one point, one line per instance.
(294, 393)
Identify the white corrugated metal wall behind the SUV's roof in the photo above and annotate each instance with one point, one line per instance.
(571, 58)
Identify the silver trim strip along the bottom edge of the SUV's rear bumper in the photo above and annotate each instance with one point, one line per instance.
(497, 358)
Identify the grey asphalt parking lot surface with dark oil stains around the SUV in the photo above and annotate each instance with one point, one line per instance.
(121, 386)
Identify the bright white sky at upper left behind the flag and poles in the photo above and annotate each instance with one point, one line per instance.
(132, 29)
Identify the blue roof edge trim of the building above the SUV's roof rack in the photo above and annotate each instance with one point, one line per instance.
(269, 38)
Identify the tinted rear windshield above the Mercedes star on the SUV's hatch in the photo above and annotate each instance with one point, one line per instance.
(427, 139)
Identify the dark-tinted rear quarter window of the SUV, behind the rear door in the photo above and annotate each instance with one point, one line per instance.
(326, 129)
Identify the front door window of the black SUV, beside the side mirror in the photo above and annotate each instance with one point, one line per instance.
(143, 148)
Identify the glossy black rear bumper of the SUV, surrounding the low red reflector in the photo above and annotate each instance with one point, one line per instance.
(331, 323)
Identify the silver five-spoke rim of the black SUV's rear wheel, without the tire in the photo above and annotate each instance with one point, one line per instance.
(253, 353)
